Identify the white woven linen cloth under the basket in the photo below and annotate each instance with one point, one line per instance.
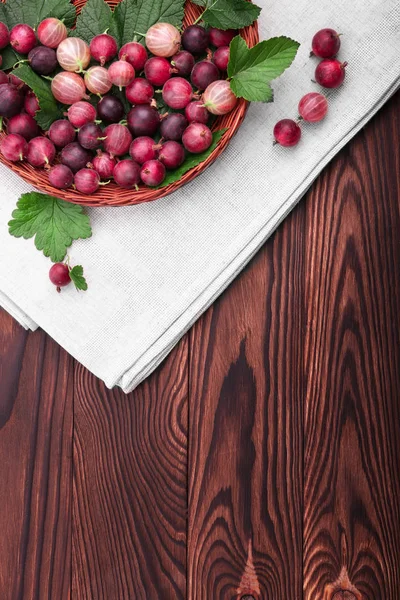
(153, 269)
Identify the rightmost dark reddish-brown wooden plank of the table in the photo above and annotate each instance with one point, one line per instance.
(352, 413)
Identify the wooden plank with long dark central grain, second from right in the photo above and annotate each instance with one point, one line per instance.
(245, 423)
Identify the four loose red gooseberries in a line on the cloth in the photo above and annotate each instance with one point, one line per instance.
(313, 107)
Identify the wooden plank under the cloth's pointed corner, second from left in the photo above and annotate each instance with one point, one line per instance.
(130, 486)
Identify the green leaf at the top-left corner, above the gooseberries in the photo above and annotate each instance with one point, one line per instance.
(33, 12)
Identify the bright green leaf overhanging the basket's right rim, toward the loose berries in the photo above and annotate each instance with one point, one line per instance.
(251, 70)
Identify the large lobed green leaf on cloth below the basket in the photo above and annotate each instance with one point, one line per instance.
(54, 223)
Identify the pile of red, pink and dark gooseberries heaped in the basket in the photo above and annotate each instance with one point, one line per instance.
(173, 85)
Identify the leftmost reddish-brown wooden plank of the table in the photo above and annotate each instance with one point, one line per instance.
(36, 468)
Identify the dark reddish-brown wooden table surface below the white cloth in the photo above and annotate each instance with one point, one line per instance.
(262, 460)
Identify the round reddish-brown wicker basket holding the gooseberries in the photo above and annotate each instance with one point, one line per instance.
(113, 195)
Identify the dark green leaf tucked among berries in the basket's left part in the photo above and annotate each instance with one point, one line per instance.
(49, 111)
